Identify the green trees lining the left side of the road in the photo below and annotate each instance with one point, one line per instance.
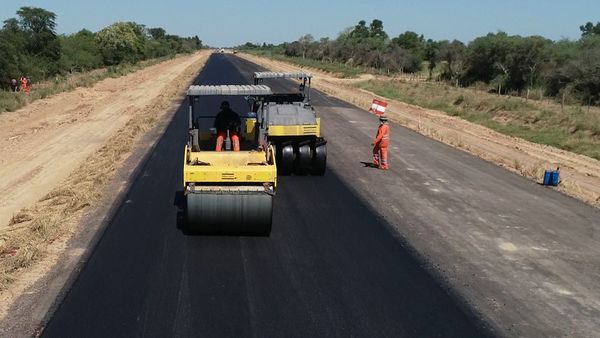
(30, 46)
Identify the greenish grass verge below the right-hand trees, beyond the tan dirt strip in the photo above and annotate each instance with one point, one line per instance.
(571, 128)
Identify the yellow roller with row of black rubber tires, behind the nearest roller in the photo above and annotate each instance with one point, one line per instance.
(293, 127)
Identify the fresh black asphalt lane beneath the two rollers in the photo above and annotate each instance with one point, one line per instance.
(331, 266)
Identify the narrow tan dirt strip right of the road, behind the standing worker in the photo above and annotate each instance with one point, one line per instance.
(580, 174)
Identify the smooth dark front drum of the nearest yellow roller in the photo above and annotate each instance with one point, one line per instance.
(229, 214)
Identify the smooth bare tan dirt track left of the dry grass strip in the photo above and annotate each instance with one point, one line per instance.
(44, 142)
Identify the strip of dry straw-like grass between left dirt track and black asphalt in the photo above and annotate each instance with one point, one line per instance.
(26, 239)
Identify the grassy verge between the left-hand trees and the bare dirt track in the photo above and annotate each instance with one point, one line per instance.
(10, 101)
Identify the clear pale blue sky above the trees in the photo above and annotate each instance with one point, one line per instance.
(232, 22)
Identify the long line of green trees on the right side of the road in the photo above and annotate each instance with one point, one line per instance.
(504, 63)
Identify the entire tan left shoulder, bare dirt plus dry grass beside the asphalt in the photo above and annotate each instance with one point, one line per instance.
(59, 155)
